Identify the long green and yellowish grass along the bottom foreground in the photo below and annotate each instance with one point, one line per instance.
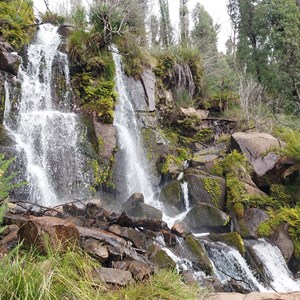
(28, 275)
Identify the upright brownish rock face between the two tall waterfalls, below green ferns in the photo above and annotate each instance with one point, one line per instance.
(106, 134)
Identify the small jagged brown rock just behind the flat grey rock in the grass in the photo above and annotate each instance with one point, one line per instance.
(139, 270)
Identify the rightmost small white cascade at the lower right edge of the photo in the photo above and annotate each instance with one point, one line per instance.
(275, 268)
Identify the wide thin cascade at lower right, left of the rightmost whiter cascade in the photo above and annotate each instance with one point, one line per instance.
(229, 264)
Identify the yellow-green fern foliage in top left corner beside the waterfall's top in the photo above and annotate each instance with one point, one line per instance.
(16, 18)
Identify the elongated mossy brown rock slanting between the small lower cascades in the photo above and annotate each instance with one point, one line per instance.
(196, 248)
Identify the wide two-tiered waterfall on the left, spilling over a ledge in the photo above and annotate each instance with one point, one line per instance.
(47, 137)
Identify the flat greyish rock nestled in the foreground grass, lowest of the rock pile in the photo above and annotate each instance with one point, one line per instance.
(113, 276)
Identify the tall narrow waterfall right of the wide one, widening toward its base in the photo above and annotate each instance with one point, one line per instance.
(137, 179)
